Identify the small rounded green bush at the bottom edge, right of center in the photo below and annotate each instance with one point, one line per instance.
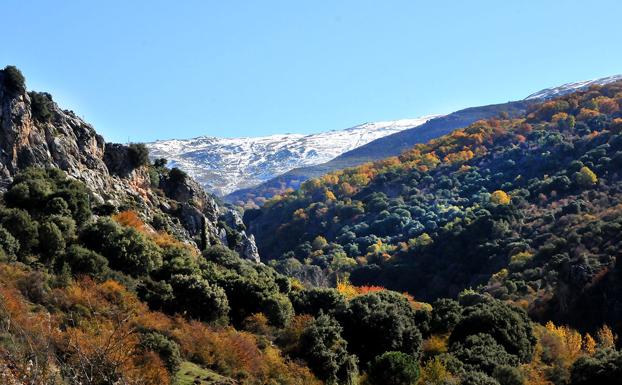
(394, 368)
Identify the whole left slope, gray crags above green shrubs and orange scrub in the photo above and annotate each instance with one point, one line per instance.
(117, 271)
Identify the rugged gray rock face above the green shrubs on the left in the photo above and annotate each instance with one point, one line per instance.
(67, 142)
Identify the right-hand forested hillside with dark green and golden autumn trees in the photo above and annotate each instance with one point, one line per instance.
(525, 209)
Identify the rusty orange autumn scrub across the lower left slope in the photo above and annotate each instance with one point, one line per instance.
(94, 336)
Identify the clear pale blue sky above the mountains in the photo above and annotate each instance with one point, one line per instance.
(146, 70)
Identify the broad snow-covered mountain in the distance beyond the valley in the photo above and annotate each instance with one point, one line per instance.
(223, 165)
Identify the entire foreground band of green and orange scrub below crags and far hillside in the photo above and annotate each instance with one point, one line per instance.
(107, 299)
